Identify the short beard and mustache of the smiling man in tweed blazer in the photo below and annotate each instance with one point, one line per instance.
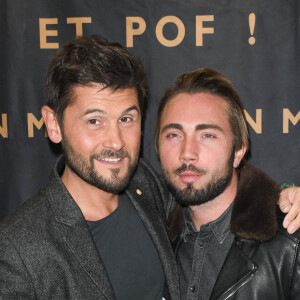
(85, 168)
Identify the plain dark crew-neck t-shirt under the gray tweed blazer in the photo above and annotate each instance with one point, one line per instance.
(128, 253)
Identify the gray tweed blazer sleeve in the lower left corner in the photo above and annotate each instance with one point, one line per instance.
(15, 281)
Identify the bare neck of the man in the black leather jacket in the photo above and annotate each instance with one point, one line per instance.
(212, 210)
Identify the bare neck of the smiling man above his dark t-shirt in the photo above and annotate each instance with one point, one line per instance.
(95, 204)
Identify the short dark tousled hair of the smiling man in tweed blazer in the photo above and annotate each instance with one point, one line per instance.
(90, 60)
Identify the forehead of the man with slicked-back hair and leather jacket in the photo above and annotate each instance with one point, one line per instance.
(193, 109)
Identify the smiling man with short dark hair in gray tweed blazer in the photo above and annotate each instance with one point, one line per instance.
(97, 230)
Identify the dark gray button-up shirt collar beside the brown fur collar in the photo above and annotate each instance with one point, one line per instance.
(219, 227)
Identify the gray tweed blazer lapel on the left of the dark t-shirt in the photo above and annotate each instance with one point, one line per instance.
(74, 230)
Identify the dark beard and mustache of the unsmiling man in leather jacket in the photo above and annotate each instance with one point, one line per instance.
(216, 186)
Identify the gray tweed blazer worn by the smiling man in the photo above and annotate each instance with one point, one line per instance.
(47, 251)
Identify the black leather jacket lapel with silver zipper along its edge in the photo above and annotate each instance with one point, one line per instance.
(236, 271)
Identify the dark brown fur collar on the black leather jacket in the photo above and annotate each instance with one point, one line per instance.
(254, 208)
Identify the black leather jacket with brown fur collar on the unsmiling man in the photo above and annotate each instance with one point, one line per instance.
(263, 262)
